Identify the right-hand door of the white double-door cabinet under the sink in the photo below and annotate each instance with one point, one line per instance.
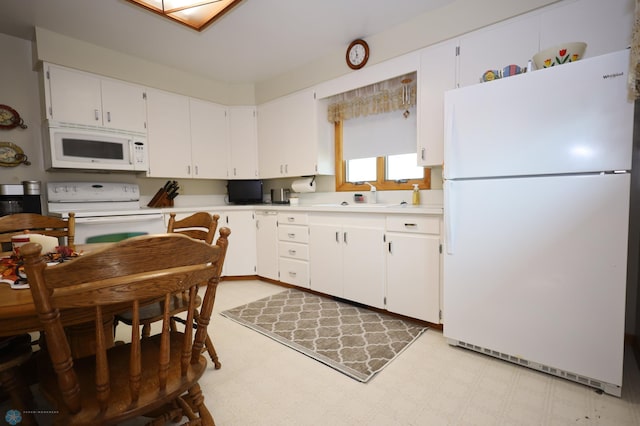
(364, 266)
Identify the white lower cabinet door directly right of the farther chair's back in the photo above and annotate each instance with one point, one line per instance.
(241, 254)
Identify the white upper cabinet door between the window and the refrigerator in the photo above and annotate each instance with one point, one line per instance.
(437, 75)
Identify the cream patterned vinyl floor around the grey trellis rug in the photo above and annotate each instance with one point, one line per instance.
(262, 382)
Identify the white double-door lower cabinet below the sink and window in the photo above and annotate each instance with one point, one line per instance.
(347, 257)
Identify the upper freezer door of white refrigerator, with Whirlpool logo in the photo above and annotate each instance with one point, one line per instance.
(566, 119)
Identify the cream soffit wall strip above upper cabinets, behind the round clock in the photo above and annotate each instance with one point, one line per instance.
(452, 20)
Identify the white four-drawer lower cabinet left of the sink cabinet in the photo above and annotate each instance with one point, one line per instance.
(293, 248)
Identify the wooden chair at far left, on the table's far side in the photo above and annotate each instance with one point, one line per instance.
(16, 224)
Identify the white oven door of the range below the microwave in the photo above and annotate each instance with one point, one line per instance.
(112, 228)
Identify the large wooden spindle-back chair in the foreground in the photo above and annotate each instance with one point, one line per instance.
(112, 385)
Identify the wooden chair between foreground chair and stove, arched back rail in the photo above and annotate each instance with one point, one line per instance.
(200, 226)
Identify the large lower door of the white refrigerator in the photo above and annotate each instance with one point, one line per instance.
(536, 268)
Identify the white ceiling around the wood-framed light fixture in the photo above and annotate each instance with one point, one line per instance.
(255, 41)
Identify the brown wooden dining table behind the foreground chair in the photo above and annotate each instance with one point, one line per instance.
(18, 313)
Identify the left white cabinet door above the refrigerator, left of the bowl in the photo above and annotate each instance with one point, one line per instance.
(493, 48)
